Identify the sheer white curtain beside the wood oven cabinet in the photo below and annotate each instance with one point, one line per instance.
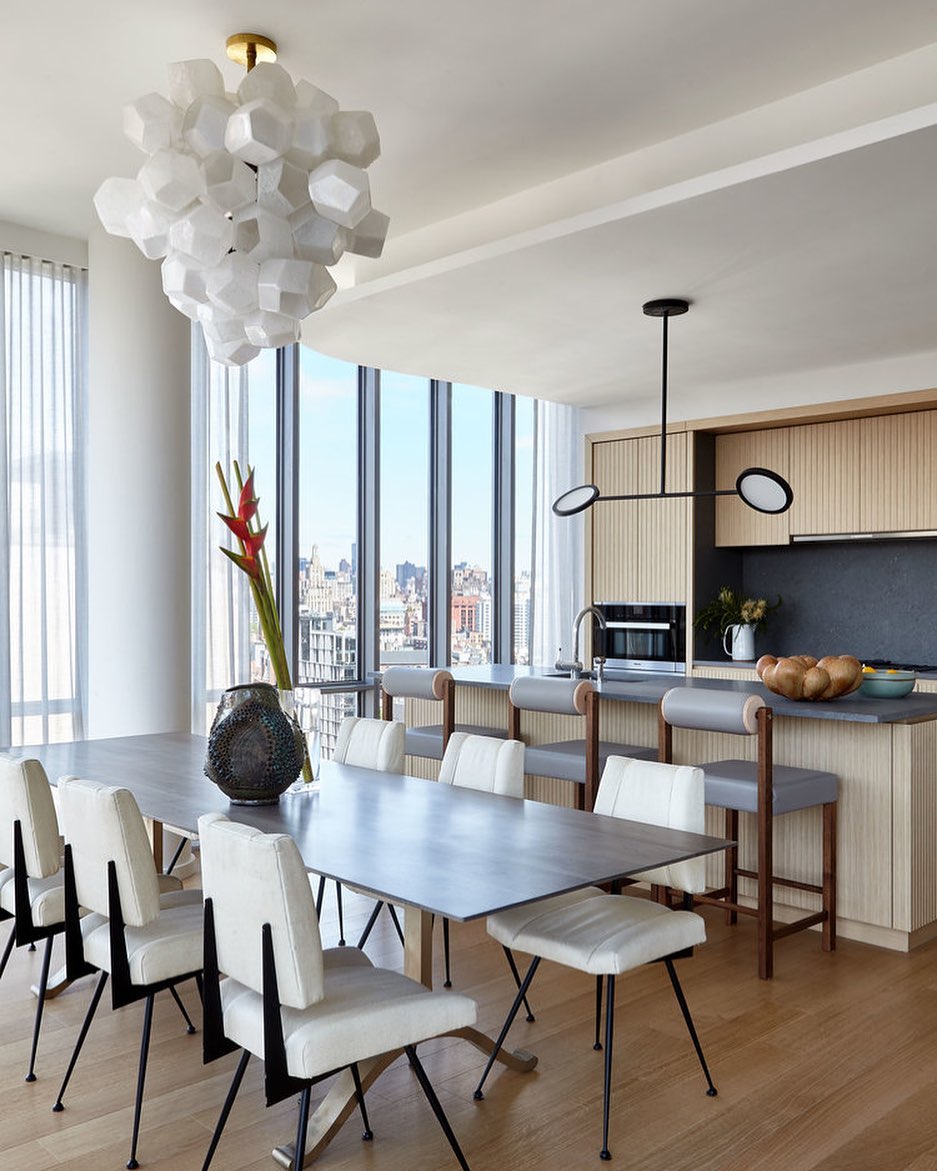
(558, 576)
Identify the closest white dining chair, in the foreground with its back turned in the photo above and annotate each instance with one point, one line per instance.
(307, 1012)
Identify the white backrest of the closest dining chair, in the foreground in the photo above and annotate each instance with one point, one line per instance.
(256, 879)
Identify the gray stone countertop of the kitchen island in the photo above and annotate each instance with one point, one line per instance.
(648, 688)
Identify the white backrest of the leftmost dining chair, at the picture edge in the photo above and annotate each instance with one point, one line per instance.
(26, 797)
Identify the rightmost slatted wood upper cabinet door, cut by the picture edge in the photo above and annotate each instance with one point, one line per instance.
(899, 472)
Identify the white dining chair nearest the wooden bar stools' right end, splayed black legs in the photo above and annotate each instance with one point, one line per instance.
(608, 935)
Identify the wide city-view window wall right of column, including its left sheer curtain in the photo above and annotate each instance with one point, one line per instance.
(391, 519)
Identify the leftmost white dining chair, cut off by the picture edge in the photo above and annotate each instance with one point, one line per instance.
(32, 891)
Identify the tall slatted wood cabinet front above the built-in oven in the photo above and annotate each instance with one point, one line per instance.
(640, 547)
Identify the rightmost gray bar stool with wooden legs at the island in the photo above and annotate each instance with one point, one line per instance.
(762, 789)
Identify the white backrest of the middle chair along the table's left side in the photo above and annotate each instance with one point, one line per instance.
(104, 824)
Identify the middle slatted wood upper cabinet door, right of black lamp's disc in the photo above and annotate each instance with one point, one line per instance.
(825, 468)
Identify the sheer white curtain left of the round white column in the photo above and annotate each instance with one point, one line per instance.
(43, 600)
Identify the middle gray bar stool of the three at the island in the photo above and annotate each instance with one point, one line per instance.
(580, 762)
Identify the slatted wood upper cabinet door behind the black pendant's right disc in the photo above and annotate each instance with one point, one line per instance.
(736, 523)
